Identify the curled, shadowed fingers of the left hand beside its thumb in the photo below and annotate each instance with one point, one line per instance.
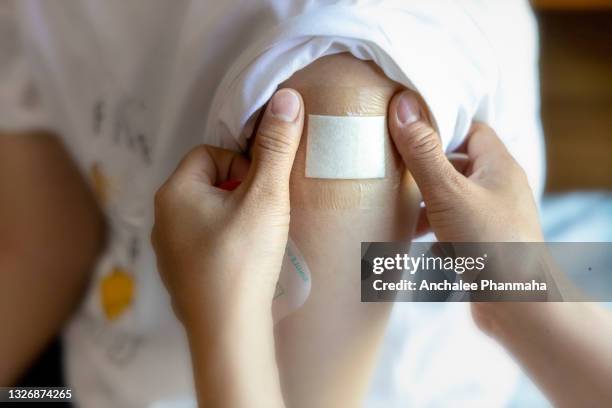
(211, 165)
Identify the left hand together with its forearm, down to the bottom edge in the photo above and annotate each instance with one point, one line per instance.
(202, 237)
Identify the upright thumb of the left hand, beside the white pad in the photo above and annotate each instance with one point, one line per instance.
(276, 143)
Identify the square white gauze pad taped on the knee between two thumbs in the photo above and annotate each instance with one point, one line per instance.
(346, 147)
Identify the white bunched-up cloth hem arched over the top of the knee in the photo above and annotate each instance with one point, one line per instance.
(433, 47)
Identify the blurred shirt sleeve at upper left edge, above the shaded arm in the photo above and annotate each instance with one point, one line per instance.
(20, 105)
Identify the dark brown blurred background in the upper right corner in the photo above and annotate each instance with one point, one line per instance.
(576, 81)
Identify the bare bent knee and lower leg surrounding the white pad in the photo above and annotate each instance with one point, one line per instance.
(327, 349)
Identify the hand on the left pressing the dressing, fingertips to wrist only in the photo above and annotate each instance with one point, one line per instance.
(220, 252)
